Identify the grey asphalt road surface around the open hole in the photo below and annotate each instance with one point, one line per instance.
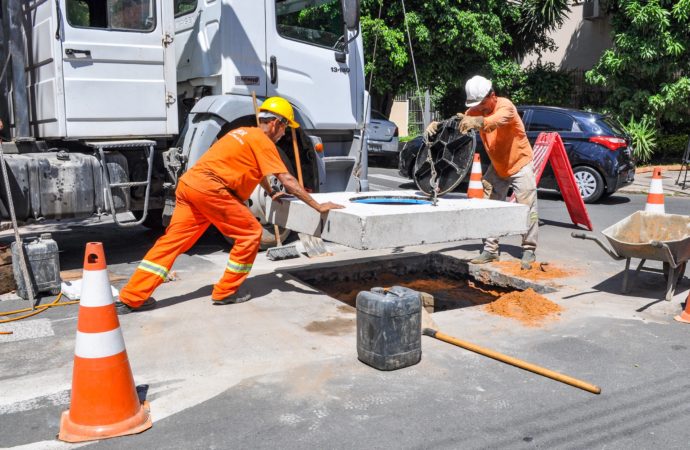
(257, 375)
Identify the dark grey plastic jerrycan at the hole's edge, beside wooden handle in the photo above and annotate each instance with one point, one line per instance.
(389, 327)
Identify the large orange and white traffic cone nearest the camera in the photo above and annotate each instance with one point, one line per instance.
(104, 400)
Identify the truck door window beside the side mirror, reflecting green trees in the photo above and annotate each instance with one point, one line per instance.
(317, 22)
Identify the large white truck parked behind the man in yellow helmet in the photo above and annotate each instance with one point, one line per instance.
(110, 101)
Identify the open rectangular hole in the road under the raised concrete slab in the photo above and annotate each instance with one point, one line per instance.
(453, 282)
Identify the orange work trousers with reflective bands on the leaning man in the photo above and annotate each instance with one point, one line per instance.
(194, 212)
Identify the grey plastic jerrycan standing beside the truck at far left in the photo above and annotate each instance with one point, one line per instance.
(43, 263)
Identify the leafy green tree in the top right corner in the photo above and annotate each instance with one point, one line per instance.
(648, 68)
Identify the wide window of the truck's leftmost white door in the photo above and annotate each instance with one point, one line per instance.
(126, 15)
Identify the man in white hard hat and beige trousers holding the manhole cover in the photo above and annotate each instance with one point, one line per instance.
(503, 135)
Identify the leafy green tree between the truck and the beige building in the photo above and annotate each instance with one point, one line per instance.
(453, 40)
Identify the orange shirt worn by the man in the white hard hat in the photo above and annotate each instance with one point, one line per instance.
(504, 138)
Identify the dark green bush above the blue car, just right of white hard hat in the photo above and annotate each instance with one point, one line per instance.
(545, 85)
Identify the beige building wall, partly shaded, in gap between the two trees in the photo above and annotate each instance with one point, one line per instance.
(580, 42)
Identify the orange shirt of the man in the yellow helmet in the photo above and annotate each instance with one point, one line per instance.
(237, 162)
